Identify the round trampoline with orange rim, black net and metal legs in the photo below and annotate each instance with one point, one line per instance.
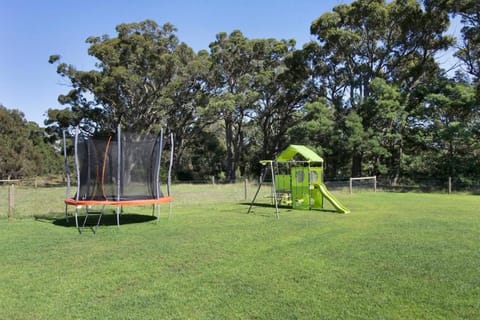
(121, 170)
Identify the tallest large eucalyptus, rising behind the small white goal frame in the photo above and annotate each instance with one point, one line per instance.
(395, 41)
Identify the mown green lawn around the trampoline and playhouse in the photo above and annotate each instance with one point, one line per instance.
(396, 256)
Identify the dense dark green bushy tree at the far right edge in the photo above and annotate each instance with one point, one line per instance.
(448, 127)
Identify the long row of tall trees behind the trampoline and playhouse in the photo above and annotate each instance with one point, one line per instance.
(367, 93)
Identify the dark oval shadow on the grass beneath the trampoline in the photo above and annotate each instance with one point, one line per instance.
(107, 219)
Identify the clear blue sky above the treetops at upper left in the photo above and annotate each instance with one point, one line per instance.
(32, 30)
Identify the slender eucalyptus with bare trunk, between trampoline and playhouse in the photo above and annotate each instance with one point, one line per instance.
(232, 96)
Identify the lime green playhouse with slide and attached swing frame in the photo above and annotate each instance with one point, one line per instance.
(297, 180)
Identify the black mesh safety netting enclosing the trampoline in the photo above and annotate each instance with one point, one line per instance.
(128, 169)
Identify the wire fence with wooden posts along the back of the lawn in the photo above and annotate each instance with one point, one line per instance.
(45, 197)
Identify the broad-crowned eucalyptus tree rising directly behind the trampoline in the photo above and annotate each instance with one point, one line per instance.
(144, 79)
